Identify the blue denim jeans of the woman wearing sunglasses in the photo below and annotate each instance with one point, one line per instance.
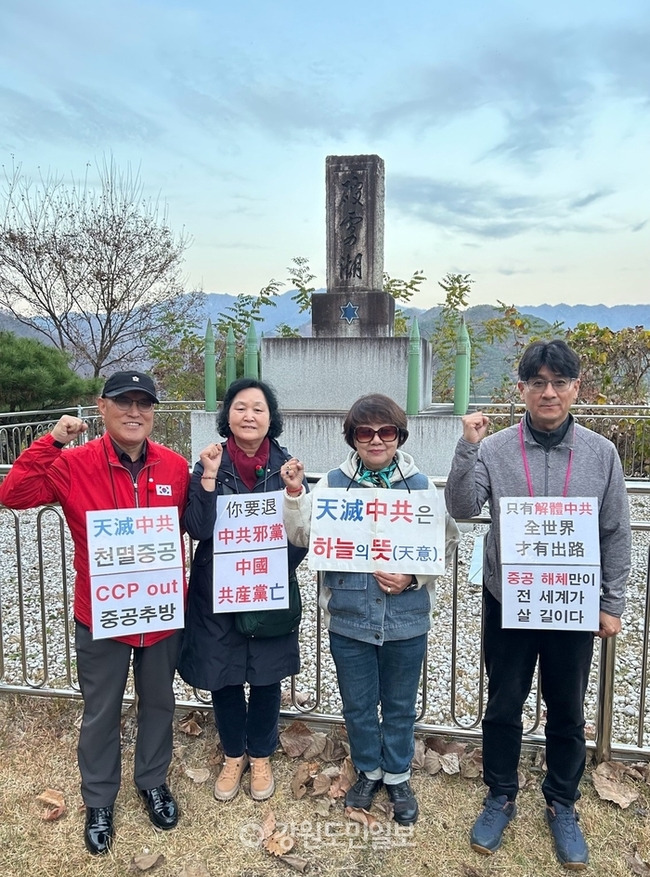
(385, 676)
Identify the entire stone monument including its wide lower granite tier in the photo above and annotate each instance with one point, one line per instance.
(353, 350)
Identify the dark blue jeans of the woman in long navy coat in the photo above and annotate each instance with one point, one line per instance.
(247, 727)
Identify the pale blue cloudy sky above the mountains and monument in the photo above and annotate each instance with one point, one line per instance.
(516, 135)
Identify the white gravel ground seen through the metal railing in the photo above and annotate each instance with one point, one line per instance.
(27, 656)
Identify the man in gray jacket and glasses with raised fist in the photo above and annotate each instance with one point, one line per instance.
(547, 454)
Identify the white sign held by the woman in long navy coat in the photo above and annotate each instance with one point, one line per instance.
(251, 568)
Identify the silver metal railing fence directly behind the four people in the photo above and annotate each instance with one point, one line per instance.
(37, 641)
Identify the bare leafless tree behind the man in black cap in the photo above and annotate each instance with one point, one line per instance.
(94, 269)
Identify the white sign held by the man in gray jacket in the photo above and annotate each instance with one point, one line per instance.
(550, 555)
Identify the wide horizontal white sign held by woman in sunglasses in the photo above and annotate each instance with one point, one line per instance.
(378, 529)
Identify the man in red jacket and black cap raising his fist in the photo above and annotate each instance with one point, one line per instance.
(121, 470)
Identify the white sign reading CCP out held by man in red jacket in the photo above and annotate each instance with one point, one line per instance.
(136, 571)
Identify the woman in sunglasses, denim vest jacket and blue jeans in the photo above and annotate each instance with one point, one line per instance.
(377, 622)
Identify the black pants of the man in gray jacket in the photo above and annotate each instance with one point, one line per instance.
(510, 658)
